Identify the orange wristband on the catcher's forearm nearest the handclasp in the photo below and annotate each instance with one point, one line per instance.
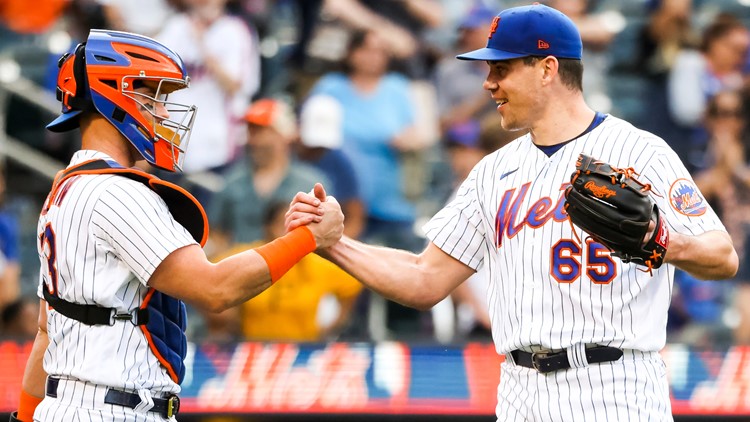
(286, 251)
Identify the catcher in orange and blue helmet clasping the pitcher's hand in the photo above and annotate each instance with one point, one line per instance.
(120, 250)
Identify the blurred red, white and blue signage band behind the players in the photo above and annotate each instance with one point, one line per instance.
(393, 378)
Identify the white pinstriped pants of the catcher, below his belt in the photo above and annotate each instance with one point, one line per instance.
(84, 401)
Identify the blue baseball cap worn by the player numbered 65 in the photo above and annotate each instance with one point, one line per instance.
(535, 30)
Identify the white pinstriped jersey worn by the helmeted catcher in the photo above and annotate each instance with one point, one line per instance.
(110, 234)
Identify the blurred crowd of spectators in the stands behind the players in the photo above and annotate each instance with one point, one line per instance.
(367, 97)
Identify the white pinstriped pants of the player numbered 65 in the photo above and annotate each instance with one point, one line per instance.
(633, 388)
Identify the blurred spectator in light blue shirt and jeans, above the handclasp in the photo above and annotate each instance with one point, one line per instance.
(379, 124)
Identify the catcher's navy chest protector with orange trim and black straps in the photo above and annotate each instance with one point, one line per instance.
(161, 318)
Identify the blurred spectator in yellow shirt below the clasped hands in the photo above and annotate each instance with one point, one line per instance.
(296, 307)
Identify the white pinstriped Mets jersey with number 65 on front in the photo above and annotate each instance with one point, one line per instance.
(545, 287)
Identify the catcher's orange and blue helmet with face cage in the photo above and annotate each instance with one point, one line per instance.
(103, 74)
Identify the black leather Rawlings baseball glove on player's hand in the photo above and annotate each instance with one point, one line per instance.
(615, 209)
